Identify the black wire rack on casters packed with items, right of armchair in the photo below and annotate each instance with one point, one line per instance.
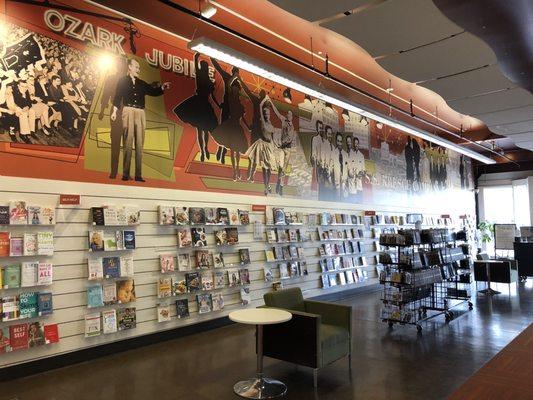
(422, 277)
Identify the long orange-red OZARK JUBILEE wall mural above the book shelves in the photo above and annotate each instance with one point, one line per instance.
(166, 117)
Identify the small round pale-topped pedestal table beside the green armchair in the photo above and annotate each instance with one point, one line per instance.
(260, 387)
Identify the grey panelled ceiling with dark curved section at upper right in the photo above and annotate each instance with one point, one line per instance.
(476, 54)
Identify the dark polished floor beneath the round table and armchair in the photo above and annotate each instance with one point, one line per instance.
(387, 364)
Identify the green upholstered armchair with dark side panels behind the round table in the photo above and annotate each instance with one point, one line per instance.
(318, 334)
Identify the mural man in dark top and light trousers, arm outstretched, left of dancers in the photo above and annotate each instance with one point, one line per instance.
(130, 93)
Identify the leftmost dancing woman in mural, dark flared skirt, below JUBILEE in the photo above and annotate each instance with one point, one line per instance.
(197, 110)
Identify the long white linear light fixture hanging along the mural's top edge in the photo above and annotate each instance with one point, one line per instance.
(230, 56)
